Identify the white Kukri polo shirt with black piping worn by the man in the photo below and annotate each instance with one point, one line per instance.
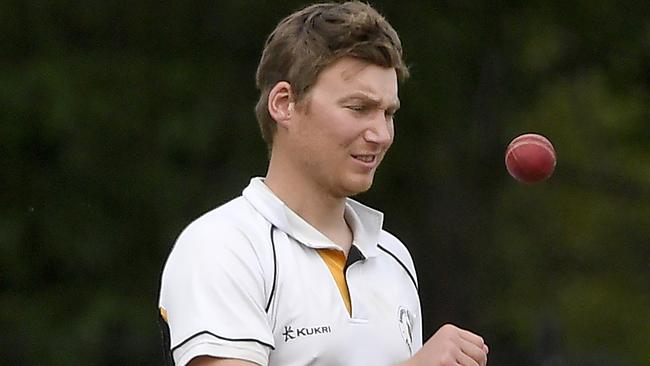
(246, 281)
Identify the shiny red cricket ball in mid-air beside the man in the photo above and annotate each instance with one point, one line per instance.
(530, 158)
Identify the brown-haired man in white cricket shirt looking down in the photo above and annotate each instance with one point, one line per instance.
(294, 272)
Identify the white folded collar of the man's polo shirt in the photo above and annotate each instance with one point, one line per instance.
(365, 222)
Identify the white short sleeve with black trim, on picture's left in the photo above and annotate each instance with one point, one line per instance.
(213, 296)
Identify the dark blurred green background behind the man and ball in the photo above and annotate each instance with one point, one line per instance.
(122, 121)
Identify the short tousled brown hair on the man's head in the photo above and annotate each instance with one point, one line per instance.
(307, 41)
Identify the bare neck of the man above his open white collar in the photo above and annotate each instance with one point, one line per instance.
(311, 202)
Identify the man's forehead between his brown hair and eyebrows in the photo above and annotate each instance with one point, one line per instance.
(349, 75)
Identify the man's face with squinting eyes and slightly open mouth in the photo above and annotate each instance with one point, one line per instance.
(344, 126)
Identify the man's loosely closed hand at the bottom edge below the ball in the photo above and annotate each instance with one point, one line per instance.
(451, 346)
